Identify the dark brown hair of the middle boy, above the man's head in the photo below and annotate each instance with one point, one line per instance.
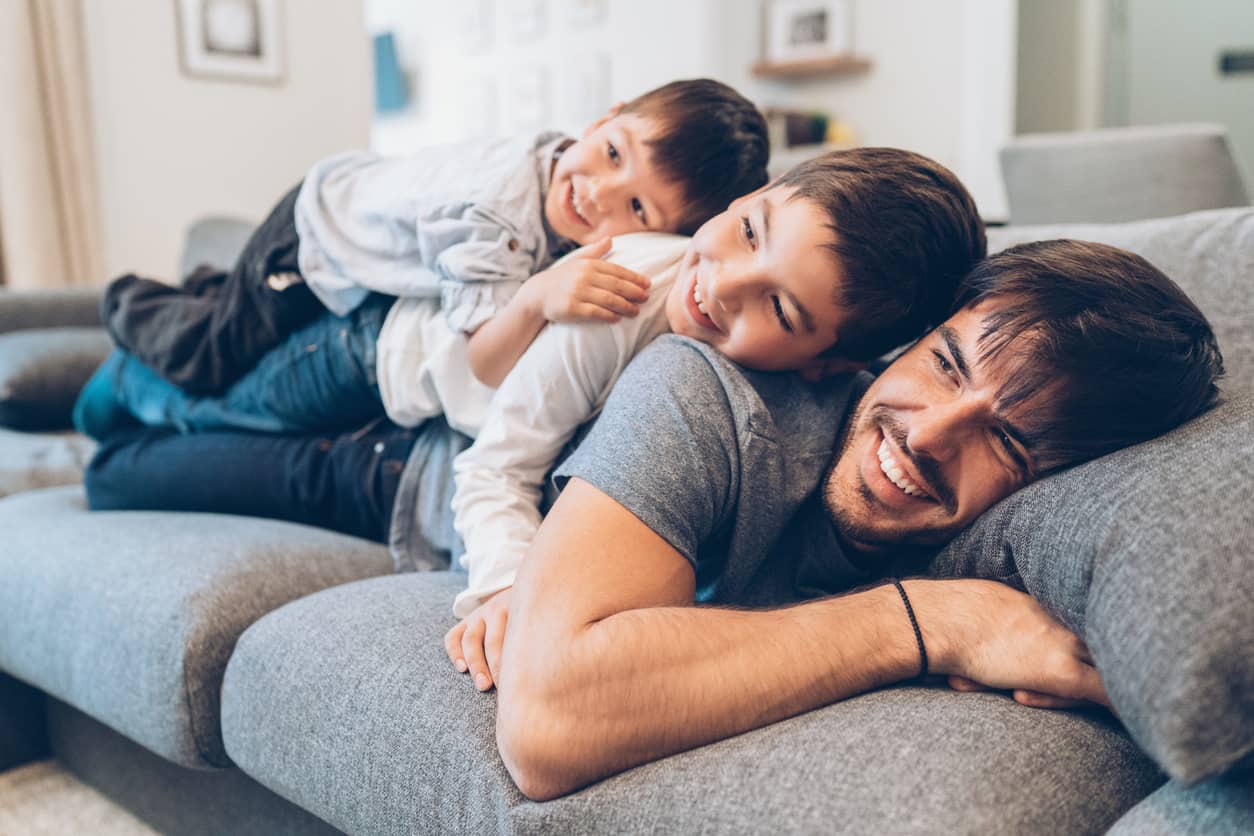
(906, 233)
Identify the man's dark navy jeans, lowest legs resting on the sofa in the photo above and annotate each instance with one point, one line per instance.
(347, 483)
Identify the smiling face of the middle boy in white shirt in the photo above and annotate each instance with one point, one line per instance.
(758, 284)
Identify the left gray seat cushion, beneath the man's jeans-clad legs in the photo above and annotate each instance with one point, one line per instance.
(131, 616)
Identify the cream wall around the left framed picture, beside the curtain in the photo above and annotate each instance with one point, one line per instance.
(172, 149)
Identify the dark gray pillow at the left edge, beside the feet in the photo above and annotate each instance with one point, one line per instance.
(42, 372)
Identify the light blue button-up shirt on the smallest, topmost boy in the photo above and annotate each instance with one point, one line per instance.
(462, 222)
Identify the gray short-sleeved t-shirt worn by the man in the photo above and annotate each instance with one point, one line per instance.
(724, 464)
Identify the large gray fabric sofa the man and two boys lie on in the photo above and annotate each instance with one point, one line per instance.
(229, 675)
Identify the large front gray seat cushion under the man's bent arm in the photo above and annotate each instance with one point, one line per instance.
(345, 704)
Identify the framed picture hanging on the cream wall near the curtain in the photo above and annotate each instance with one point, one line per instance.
(231, 39)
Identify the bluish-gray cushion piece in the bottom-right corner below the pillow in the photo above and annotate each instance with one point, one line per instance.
(1220, 808)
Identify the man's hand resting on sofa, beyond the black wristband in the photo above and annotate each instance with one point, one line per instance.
(985, 635)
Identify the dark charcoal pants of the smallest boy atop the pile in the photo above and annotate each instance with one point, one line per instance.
(209, 333)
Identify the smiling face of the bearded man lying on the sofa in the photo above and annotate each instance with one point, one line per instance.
(929, 449)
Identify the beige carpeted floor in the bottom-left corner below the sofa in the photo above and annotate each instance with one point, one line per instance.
(45, 799)
